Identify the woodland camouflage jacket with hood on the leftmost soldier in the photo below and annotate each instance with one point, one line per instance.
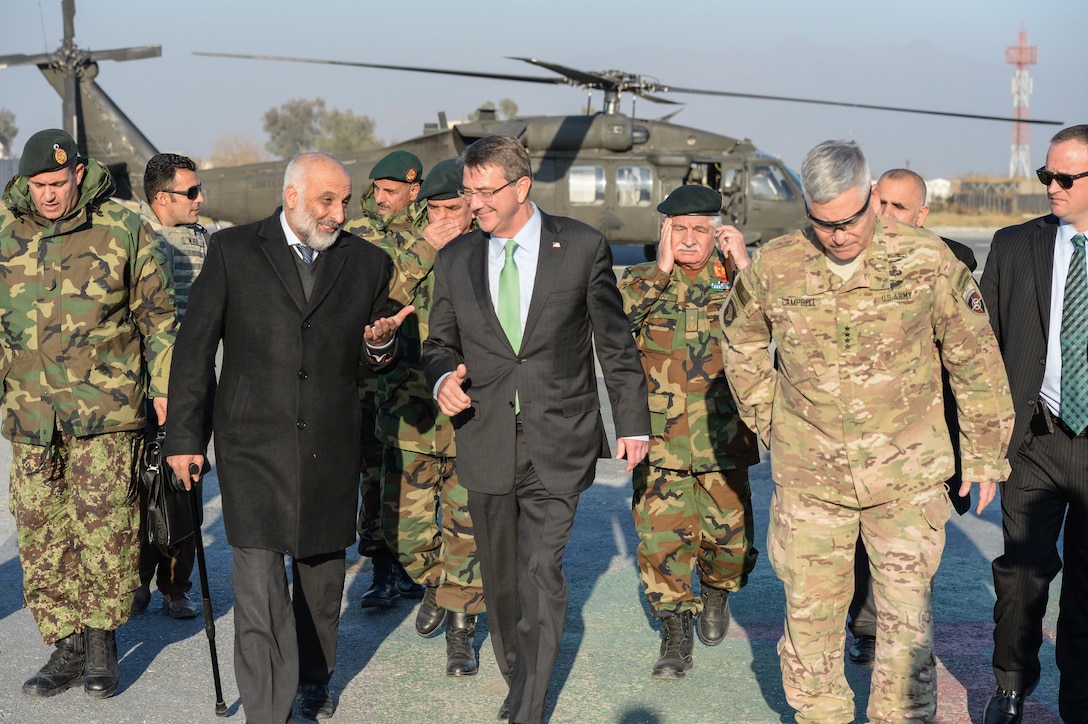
(84, 303)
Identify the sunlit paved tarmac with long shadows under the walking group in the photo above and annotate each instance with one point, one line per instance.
(387, 673)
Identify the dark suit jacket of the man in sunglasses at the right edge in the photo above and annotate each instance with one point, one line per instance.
(1017, 289)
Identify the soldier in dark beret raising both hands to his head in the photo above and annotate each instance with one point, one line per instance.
(693, 506)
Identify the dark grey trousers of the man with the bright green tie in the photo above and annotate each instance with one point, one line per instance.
(522, 537)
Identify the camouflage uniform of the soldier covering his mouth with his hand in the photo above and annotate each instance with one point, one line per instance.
(419, 473)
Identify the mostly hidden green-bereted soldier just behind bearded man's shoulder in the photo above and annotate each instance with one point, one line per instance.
(390, 208)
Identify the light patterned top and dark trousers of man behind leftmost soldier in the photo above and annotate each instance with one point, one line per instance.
(184, 249)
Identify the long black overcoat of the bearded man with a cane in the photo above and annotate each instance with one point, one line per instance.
(287, 420)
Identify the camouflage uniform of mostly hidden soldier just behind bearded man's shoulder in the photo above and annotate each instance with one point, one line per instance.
(375, 228)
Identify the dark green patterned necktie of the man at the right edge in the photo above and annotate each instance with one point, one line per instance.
(1074, 340)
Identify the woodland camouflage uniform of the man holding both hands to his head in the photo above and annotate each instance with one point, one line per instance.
(693, 506)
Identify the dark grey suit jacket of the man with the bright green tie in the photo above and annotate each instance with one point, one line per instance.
(575, 305)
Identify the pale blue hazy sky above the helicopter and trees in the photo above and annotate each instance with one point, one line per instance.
(944, 56)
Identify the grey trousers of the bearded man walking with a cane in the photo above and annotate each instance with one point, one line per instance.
(283, 641)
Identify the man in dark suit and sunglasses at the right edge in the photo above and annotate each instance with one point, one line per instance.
(1036, 288)
